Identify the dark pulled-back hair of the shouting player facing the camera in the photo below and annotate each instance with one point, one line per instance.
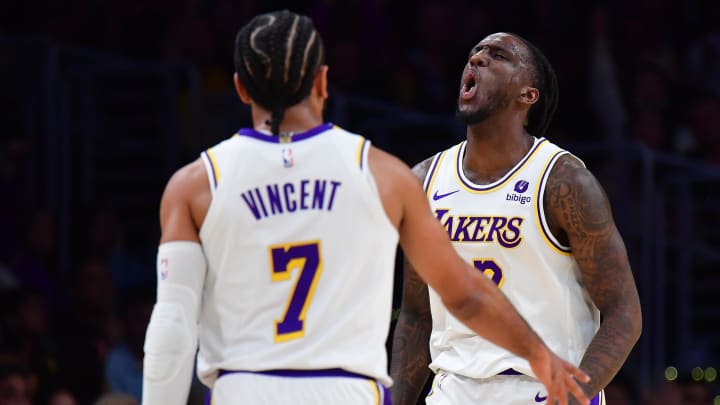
(545, 79)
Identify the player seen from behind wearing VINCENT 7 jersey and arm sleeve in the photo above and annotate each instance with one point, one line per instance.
(278, 246)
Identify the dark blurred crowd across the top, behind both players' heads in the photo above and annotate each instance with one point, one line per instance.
(648, 68)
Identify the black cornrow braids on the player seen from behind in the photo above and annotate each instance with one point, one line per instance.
(276, 57)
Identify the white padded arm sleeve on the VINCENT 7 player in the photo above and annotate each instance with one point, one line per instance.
(171, 337)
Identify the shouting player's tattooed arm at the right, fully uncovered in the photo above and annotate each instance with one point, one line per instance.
(580, 216)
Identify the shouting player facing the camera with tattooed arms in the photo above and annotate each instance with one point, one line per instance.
(535, 221)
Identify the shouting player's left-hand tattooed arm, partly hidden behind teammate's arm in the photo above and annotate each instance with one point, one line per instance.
(410, 351)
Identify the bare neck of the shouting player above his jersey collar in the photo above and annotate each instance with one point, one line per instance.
(491, 152)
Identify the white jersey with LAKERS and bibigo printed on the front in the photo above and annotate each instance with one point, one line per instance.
(501, 229)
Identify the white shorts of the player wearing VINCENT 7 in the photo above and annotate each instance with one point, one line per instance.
(321, 387)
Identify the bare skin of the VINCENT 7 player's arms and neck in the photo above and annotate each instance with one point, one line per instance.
(469, 295)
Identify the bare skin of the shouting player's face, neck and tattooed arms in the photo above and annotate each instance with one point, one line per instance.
(576, 206)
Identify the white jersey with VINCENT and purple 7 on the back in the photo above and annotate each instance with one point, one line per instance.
(300, 256)
